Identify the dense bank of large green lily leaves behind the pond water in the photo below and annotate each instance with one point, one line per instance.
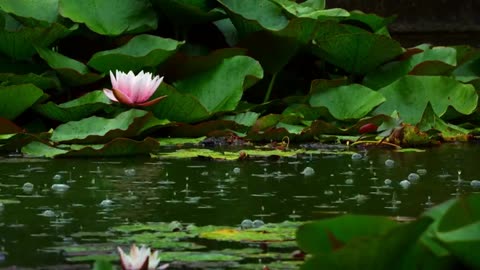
(258, 69)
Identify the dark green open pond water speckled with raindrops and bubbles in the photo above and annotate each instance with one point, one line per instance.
(45, 203)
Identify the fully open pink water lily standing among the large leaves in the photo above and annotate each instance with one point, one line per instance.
(133, 90)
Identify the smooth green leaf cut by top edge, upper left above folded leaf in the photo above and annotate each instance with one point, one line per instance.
(108, 18)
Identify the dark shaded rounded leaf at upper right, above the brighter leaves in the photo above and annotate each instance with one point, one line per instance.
(353, 49)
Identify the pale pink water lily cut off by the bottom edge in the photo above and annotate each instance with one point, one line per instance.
(140, 259)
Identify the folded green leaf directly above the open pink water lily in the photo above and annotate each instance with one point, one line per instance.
(140, 52)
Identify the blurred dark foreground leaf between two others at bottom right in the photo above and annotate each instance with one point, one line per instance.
(387, 249)
